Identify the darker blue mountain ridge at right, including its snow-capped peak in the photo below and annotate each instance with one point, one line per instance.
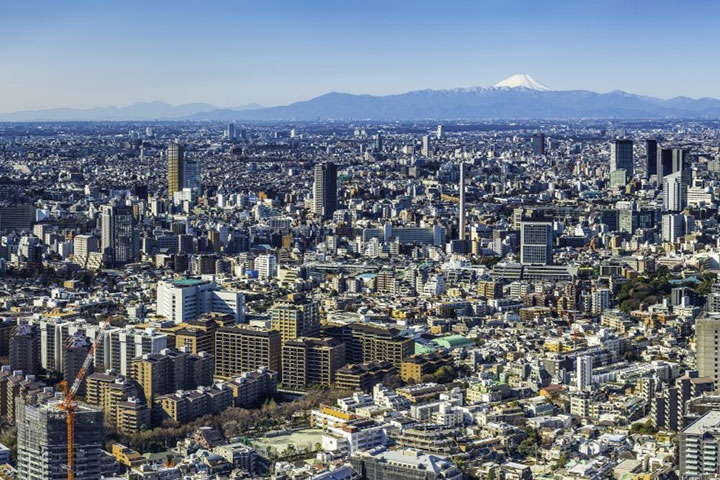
(518, 97)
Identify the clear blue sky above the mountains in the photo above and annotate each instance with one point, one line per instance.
(83, 53)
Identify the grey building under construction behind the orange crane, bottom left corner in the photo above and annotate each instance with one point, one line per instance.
(42, 441)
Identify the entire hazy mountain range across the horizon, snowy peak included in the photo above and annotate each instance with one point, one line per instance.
(517, 97)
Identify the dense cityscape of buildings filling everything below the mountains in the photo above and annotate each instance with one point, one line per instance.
(360, 300)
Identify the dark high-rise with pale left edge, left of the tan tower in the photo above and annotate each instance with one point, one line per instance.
(120, 242)
